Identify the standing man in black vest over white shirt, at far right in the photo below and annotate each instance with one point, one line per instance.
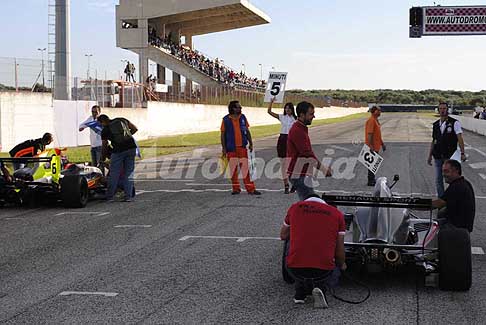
(446, 134)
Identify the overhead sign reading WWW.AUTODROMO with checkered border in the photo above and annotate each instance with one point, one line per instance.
(439, 20)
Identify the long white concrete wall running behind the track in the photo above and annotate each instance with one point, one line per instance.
(29, 115)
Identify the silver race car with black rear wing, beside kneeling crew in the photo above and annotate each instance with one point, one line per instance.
(384, 233)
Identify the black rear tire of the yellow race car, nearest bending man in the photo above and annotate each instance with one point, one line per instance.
(74, 191)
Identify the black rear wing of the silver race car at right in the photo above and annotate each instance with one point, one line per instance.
(371, 201)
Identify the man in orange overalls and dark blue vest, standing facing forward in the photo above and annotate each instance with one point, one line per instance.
(235, 137)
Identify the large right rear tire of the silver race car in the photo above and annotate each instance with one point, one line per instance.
(455, 268)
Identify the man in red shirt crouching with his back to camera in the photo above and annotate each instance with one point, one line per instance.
(316, 255)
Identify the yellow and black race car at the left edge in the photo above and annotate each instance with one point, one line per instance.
(49, 178)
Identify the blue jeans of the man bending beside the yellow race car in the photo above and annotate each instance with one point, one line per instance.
(121, 161)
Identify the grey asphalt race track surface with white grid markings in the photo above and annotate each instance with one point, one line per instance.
(145, 267)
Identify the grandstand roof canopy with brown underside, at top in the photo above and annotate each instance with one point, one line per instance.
(196, 17)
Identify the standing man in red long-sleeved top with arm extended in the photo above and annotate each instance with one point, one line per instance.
(299, 150)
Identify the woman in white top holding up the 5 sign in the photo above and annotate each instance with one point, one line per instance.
(287, 119)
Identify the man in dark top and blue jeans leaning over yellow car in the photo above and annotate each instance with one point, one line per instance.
(119, 132)
